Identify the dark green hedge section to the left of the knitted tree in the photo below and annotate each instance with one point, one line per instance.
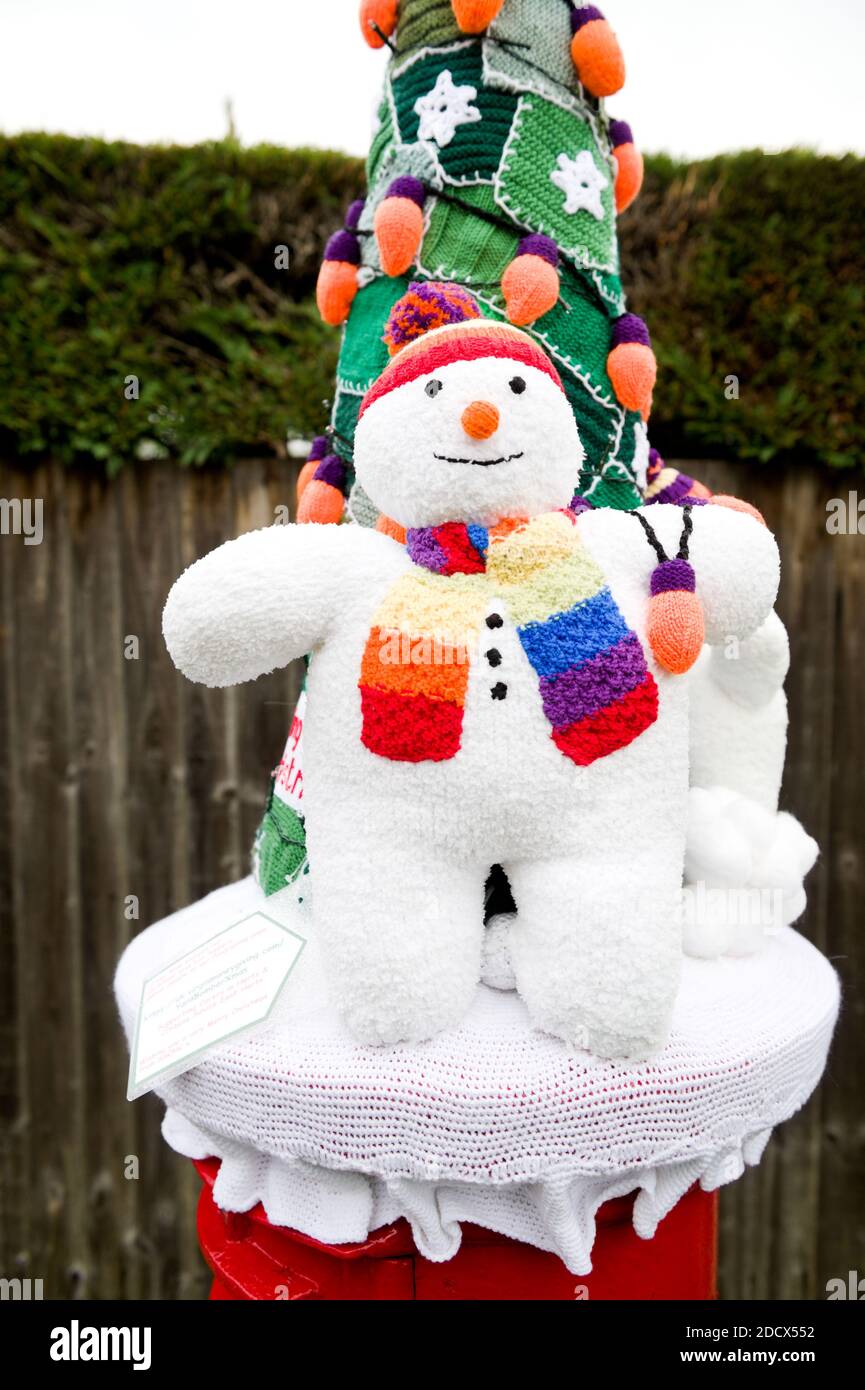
(119, 261)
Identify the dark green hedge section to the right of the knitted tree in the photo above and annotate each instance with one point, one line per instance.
(754, 266)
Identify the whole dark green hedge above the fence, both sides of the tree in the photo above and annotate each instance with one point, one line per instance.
(119, 261)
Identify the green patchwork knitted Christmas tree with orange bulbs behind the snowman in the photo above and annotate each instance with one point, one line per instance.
(494, 166)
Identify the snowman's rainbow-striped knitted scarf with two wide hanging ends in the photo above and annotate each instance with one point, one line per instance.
(595, 682)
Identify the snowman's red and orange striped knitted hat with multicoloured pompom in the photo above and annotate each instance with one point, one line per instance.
(436, 325)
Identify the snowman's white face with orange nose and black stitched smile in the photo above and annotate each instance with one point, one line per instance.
(472, 441)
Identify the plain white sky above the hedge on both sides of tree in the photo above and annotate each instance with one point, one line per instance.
(704, 76)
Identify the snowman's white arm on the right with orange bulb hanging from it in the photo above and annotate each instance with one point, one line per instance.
(735, 559)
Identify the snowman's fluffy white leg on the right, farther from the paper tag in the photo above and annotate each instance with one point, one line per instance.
(597, 950)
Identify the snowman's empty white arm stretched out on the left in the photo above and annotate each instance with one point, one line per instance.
(257, 604)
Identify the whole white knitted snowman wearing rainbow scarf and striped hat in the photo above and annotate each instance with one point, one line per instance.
(503, 689)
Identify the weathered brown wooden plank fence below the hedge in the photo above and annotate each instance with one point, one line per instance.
(119, 779)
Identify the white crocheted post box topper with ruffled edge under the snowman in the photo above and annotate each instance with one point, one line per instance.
(492, 1122)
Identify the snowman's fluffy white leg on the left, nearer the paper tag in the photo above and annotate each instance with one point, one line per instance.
(401, 932)
